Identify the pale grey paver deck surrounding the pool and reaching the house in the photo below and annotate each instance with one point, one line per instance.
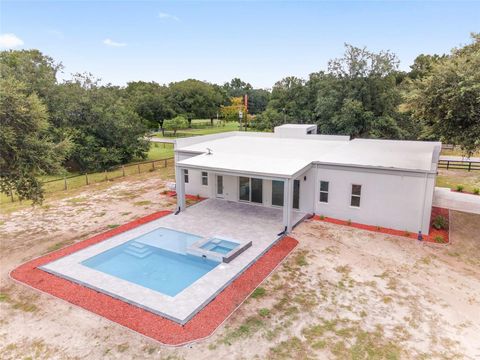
(209, 218)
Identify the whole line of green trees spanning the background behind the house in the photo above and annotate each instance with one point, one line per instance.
(80, 124)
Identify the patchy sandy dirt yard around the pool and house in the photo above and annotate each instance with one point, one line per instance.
(343, 293)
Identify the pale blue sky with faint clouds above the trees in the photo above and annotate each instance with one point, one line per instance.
(260, 42)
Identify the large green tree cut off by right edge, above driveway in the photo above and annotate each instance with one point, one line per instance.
(447, 100)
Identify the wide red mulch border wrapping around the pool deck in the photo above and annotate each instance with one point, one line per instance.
(140, 320)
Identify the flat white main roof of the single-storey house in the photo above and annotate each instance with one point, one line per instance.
(272, 155)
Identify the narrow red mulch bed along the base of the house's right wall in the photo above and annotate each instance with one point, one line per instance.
(433, 233)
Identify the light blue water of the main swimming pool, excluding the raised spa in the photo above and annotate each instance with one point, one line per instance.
(156, 260)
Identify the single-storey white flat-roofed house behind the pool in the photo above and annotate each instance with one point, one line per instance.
(385, 183)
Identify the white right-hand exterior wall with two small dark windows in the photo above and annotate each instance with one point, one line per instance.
(393, 200)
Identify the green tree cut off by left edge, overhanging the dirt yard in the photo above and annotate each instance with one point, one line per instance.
(26, 149)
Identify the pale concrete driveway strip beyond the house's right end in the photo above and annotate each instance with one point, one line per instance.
(445, 198)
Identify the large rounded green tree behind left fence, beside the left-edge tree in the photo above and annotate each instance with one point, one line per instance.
(104, 129)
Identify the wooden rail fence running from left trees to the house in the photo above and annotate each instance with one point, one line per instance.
(74, 181)
